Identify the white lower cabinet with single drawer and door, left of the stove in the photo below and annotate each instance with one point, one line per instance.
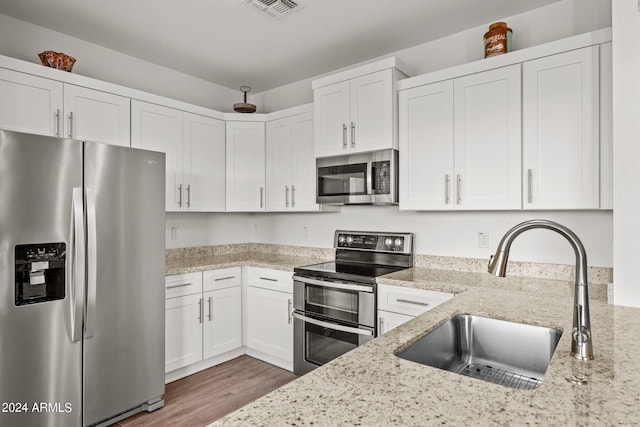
(269, 319)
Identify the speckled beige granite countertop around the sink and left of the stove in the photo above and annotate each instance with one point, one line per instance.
(370, 386)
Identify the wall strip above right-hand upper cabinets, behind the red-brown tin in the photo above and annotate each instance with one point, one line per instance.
(556, 21)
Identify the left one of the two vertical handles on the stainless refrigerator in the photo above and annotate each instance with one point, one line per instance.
(77, 258)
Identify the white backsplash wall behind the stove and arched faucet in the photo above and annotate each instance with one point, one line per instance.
(446, 233)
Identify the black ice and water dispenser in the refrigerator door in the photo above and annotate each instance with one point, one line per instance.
(40, 272)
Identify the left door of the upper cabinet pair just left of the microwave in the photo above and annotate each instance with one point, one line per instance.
(279, 165)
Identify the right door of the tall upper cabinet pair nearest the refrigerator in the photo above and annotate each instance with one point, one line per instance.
(204, 164)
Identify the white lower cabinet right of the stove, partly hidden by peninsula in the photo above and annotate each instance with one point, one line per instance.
(397, 305)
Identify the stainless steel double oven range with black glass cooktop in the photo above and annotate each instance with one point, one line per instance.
(335, 302)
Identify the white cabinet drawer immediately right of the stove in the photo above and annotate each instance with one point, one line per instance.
(408, 300)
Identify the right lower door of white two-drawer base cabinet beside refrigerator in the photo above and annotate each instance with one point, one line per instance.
(222, 329)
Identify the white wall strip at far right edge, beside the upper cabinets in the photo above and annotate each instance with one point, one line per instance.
(626, 150)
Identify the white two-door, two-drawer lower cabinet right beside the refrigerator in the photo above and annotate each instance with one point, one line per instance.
(203, 320)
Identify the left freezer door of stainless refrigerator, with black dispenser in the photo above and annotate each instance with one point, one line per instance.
(40, 365)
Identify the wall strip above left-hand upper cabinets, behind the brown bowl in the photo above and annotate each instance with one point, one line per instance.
(19, 39)
